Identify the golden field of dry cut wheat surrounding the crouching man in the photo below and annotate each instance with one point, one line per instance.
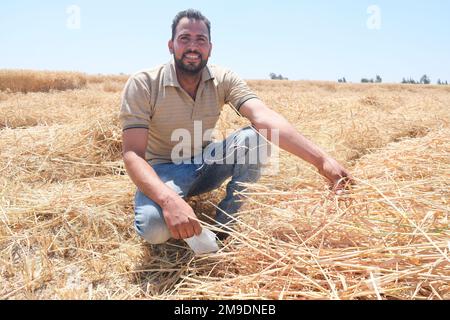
(66, 203)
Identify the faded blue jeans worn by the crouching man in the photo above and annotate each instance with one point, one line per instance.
(239, 151)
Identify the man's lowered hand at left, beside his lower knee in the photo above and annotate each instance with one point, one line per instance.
(180, 218)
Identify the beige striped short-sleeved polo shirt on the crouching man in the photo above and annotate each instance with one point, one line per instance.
(154, 100)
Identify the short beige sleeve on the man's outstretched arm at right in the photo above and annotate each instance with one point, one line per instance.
(237, 91)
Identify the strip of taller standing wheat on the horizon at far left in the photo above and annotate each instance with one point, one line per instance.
(40, 81)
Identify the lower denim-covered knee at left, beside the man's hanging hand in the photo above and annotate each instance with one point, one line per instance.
(150, 224)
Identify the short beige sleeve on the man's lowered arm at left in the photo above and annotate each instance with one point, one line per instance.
(136, 108)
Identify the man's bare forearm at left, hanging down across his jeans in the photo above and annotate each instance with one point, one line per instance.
(146, 179)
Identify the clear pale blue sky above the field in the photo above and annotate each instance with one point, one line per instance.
(318, 40)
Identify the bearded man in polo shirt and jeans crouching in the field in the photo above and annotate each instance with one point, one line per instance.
(181, 95)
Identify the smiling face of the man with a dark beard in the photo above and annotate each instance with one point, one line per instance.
(191, 46)
